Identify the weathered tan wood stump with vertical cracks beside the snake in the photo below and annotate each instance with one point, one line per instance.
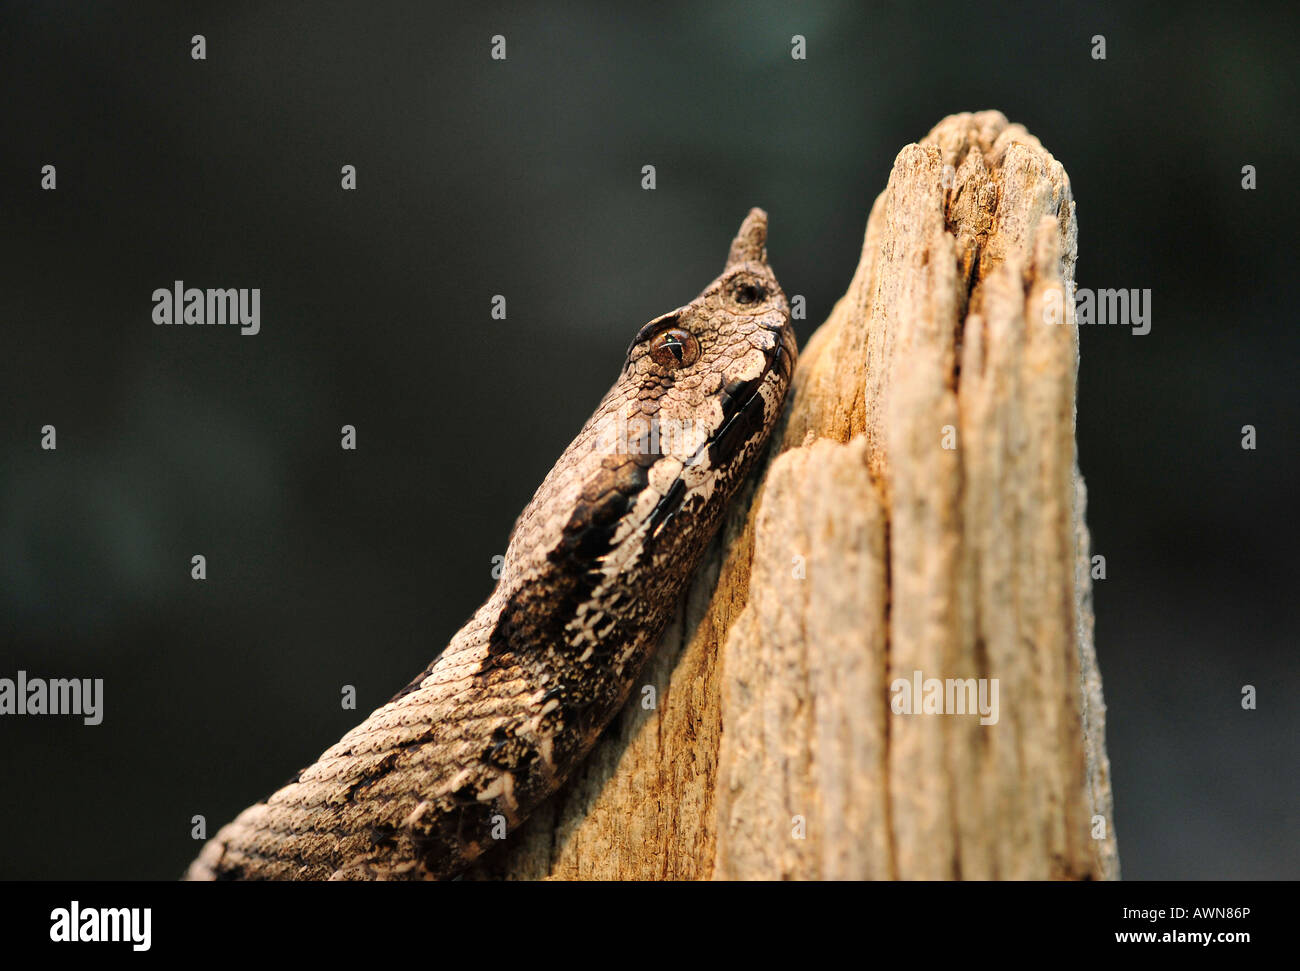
(921, 511)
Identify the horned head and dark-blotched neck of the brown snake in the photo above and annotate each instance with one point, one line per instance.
(647, 480)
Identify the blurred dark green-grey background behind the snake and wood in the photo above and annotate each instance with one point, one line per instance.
(523, 179)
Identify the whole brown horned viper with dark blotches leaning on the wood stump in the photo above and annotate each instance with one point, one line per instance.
(593, 570)
